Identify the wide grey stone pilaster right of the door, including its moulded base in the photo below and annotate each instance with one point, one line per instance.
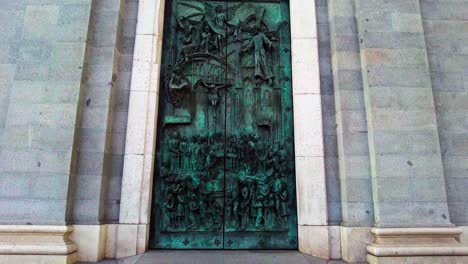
(409, 193)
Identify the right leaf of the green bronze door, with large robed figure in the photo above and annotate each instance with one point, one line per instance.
(260, 188)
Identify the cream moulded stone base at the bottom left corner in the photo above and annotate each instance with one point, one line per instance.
(36, 244)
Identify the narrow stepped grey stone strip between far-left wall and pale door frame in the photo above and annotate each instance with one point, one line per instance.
(104, 112)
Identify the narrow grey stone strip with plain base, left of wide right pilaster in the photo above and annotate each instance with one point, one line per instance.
(353, 147)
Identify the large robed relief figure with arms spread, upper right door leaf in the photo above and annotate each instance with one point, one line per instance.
(263, 70)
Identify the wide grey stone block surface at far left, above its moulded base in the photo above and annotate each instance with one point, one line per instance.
(42, 47)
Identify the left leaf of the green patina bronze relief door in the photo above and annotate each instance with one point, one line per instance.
(188, 204)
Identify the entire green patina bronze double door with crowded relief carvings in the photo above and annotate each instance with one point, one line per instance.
(224, 173)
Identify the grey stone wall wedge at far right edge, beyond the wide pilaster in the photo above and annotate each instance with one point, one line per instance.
(446, 33)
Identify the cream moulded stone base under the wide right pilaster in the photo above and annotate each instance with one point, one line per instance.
(417, 245)
